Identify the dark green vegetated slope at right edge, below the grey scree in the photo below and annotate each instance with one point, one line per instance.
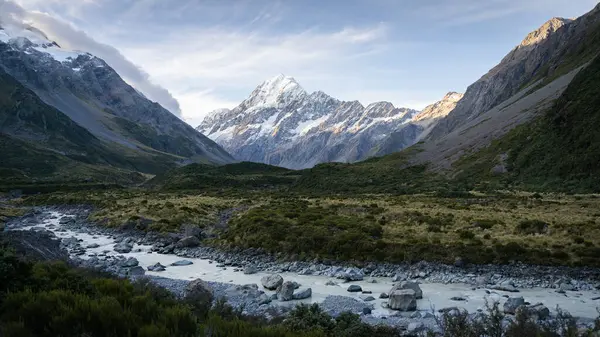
(558, 151)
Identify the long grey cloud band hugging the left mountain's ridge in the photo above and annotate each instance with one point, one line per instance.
(70, 37)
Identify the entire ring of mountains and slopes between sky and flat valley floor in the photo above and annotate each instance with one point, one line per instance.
(530, 121)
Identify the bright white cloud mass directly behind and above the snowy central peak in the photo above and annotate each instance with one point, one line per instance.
(198, 63)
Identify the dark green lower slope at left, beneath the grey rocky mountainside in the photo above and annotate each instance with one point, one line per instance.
(38, 142)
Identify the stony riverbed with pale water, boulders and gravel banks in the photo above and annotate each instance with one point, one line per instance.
(98, 247)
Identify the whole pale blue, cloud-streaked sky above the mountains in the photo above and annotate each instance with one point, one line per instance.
(195, 56)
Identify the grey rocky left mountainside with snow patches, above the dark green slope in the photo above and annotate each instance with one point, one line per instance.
(89, 92)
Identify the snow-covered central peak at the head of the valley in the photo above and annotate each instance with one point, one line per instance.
(281, 124)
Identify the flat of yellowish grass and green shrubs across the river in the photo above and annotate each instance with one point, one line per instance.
(548, 229)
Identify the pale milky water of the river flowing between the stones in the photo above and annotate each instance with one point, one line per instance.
(435, 295)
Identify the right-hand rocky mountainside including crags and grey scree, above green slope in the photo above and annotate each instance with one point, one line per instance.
(523, 87)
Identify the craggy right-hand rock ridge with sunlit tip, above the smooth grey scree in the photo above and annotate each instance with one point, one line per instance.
(552, 50)
